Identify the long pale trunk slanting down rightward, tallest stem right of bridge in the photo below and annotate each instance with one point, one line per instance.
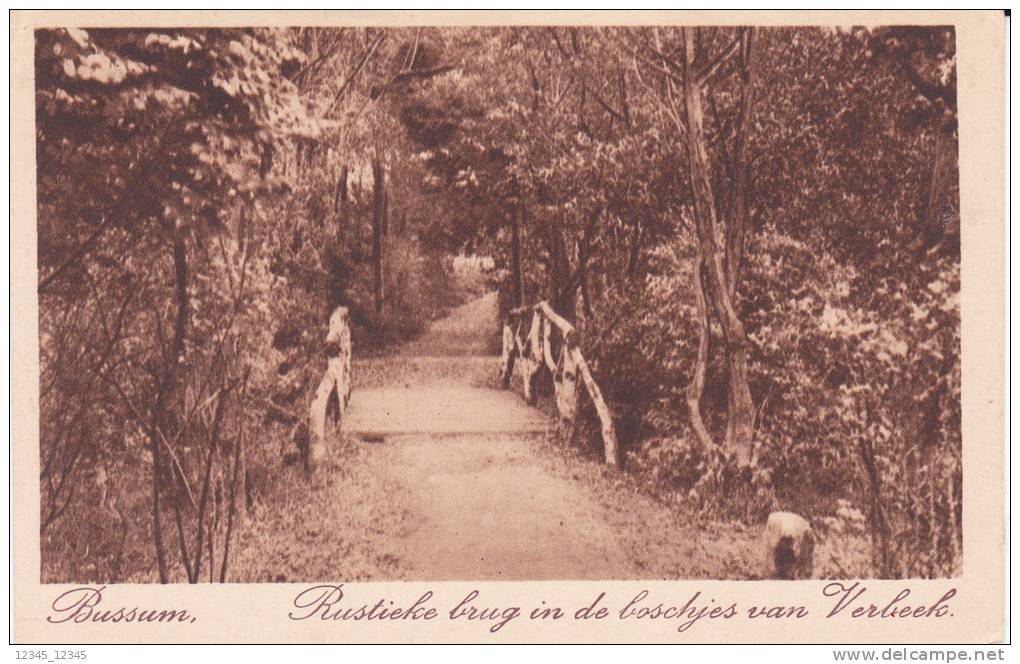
(740, 422)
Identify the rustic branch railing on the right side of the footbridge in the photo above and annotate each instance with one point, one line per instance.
(547, 339)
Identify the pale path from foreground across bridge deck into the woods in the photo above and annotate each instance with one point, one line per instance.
(462, 452)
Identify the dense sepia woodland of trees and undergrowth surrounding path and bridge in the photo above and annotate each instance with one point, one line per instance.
(755, 231)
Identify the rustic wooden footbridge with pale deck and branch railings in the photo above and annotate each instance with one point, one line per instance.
(535, 339)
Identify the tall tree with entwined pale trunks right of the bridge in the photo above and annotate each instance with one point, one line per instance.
(721, 210)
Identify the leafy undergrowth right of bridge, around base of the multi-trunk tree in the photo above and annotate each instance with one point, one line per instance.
(843, 384)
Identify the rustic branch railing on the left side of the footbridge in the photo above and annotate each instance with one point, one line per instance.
(337, 381)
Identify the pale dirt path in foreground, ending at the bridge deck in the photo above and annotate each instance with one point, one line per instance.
(486, 508)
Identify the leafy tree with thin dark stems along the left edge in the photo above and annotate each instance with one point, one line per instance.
(142, 137)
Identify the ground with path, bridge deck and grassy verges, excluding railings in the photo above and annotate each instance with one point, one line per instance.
(511, 502)
